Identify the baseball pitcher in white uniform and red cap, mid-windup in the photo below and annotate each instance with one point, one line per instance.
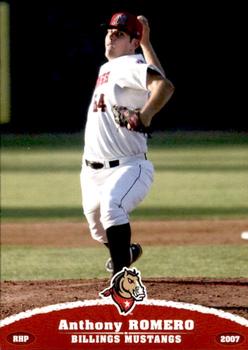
(116, 174)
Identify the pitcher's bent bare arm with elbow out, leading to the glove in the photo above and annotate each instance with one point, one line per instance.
(161, 89)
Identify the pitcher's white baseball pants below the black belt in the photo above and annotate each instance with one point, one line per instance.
(110, 194)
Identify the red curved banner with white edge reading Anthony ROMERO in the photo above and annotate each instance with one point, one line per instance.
(97, 324)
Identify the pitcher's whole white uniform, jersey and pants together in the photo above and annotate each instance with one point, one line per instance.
(110, 193)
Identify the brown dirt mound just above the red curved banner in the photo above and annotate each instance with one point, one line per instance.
(228, 295)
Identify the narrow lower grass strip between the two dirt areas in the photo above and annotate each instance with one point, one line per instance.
(29, 263)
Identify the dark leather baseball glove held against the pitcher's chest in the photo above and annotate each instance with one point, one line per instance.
(129, 118)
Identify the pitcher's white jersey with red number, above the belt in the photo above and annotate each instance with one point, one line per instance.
(123, 82)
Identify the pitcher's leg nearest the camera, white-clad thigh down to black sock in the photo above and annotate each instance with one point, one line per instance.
(124, 190)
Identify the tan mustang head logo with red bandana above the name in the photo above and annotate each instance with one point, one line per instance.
(126, 289)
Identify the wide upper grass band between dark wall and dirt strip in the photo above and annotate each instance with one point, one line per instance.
(197, 176)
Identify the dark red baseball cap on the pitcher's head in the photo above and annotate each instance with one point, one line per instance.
(126, 22)
